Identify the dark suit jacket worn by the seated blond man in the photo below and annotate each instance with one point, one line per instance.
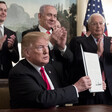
(28, 90)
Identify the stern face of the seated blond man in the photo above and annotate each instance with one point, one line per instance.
(38, 53)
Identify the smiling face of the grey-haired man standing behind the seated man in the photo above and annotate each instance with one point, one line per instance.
(48, 18)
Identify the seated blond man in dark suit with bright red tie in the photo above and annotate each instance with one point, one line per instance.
(26, 83)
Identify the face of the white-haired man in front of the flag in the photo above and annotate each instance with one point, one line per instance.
(97, 26)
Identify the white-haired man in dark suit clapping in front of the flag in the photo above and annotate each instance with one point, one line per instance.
(100, 44)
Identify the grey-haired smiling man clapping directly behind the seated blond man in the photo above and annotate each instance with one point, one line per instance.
(60, 55)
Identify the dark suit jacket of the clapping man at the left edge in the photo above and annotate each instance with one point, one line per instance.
(8, 56)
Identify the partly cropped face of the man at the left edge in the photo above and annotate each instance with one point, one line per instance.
(3, 12)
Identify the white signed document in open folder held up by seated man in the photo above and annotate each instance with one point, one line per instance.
(92, 69)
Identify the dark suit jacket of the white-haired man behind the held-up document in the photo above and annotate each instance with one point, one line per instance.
(89, 45)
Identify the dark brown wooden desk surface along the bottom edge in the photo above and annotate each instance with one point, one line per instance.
(90, 108)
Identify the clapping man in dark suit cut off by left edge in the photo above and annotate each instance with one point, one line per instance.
(8, 44)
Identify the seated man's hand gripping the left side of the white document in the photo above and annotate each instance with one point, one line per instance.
(83, 84)
